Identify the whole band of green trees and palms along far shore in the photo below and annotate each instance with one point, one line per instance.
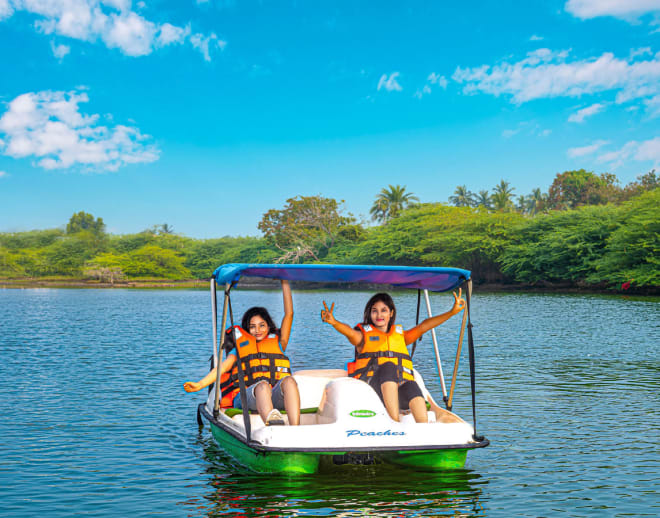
(585, 231)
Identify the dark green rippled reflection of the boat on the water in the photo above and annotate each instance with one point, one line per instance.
(339, 490)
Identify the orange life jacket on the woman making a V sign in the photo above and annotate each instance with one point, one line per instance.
(380, 348)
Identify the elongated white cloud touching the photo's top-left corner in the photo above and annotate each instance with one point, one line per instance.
(111, 21)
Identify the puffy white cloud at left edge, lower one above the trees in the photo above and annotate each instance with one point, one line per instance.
(49, 126)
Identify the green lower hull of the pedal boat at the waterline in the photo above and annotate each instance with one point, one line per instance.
(302, 463)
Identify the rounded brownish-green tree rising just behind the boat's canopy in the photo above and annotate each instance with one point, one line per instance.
(306, 227)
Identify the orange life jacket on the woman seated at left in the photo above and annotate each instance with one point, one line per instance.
(259, 360)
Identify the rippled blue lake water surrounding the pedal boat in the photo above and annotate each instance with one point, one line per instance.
(95, 420)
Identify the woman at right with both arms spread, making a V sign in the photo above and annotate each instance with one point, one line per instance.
(382, 359)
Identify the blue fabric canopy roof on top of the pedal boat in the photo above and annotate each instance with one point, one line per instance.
(432, 279)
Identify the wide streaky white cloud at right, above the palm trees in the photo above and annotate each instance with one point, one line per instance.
(545, 73)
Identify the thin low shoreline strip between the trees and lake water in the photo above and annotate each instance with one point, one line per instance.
(258, 283)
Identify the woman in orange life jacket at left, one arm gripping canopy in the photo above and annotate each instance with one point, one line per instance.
(266, 370)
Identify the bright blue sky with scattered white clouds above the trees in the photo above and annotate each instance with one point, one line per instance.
(205, 115)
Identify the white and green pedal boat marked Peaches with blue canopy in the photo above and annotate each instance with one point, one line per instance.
(343, 420)
